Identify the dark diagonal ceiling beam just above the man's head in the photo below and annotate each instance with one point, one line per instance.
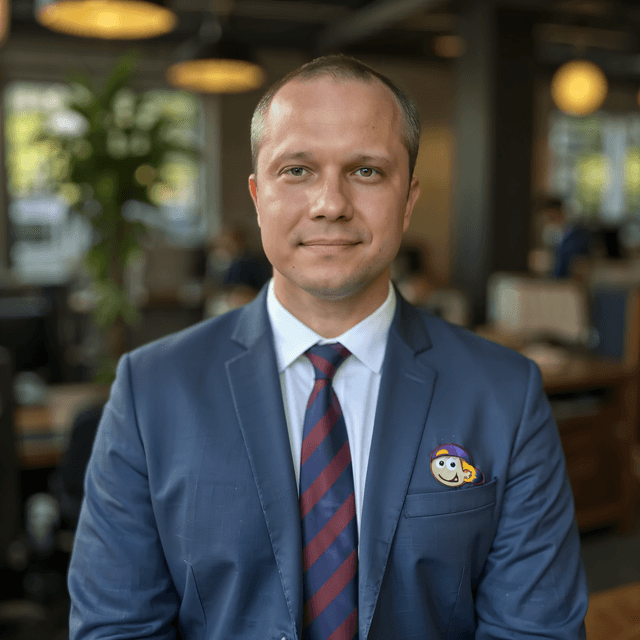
(374, 17)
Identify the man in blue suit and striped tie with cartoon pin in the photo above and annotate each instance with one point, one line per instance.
(328, 461)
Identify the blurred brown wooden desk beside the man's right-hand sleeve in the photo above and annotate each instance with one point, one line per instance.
(595, 404)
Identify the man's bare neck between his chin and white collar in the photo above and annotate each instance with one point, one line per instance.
(330, 318)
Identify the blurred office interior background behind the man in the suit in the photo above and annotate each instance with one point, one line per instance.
(527, 230)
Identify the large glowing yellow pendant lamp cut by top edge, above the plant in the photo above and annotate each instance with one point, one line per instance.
(106, 19)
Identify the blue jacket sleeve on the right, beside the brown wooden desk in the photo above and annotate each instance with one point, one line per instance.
(533, 584)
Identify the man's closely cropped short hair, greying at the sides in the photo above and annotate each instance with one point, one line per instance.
(340, 67)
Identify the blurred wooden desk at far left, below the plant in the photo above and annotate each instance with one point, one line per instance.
(42, 432)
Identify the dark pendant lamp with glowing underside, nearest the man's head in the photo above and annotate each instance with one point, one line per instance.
(215, 63)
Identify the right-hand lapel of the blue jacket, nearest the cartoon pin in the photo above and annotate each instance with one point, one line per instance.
(404, 398)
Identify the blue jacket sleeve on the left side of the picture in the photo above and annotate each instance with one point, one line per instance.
(118, 579)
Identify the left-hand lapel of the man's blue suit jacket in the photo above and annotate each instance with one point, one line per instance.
(257, 396)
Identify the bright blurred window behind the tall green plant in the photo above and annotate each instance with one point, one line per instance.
(48, 234)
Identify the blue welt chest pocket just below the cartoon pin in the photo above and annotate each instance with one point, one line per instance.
(439, 503)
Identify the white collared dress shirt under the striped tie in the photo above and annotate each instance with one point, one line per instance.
(356, 382)
